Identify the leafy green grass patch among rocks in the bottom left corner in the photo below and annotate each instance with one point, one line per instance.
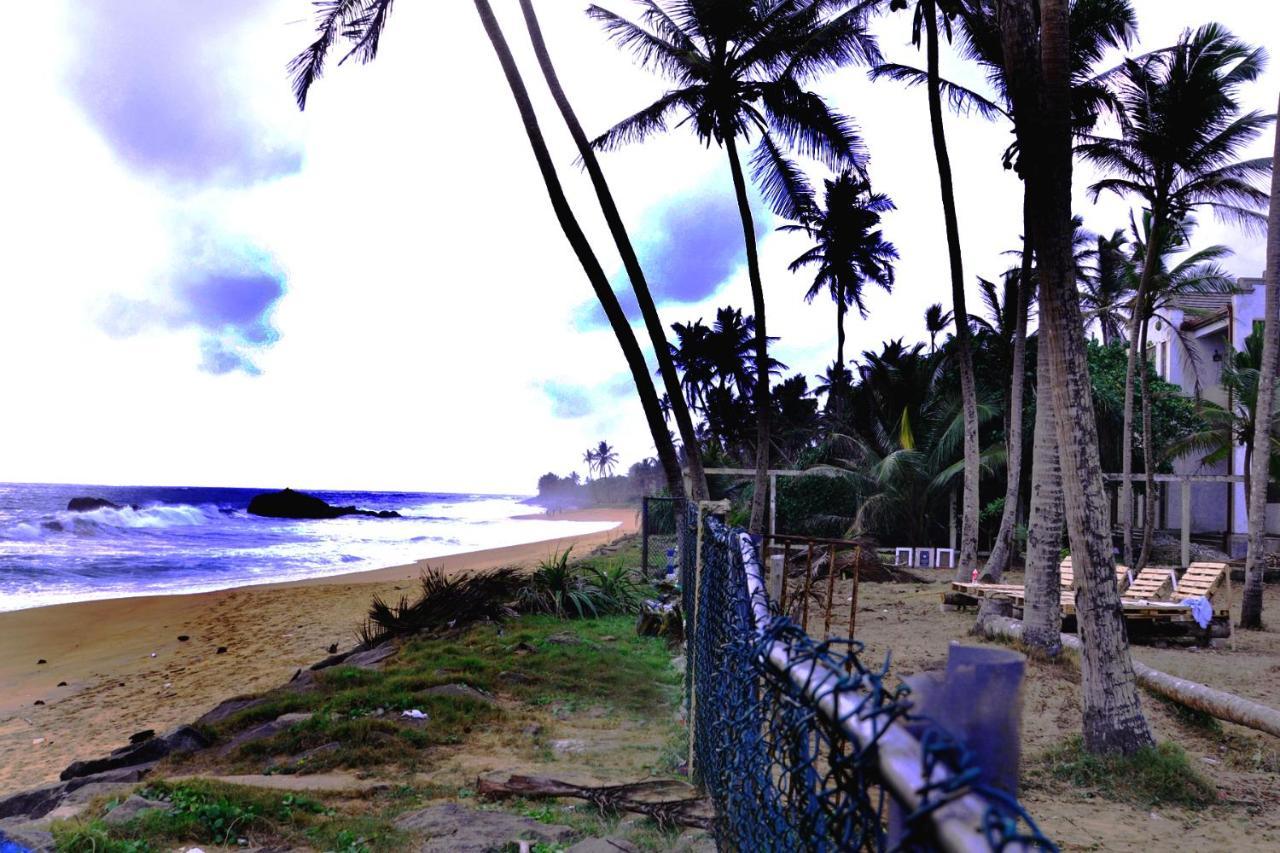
(216, 814)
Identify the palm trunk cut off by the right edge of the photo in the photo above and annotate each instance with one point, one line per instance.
(1251, 612)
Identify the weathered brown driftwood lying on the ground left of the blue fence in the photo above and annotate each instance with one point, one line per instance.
(634, 797)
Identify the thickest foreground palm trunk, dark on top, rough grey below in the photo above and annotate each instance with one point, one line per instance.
(1043, 107)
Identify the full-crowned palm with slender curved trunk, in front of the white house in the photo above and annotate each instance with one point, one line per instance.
(1182, 138)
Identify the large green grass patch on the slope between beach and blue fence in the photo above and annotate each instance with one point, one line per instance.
(534, 660)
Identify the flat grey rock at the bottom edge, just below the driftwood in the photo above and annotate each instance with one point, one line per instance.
(451, 828)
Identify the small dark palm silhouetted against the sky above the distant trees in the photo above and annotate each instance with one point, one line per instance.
(849, 249)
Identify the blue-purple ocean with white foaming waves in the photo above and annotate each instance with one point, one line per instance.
(198, 540)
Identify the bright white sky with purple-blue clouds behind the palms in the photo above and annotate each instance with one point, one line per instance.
(204, 286)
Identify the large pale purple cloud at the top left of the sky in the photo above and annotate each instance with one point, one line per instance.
(159, 81)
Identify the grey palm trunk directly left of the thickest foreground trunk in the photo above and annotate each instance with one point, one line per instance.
(1043, 612)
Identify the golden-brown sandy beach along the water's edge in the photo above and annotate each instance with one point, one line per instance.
(126, 670)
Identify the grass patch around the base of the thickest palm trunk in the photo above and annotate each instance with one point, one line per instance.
(1162, 776)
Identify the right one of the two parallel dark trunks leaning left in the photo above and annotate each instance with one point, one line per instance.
(630, 262)
